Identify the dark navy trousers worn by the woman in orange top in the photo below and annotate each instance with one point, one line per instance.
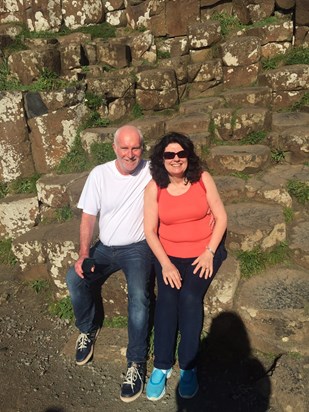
(181, 309)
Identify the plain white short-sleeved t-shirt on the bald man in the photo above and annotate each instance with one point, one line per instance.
(119, 199)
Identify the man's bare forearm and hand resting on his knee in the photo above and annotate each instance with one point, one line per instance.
(85, 238)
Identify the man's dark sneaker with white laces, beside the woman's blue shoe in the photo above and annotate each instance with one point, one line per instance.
(133, 384)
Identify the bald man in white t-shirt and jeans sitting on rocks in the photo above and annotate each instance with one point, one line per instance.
(115, 190)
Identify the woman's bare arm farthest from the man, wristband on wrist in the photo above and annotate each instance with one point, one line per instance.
(205, 260)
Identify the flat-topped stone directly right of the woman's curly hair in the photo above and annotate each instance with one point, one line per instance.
(246, 158)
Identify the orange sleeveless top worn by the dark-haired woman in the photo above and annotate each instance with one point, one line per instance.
(184, 221)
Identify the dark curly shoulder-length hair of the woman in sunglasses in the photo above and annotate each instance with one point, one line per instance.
(157, 169)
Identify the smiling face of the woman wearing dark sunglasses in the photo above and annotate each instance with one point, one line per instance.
(179, 163)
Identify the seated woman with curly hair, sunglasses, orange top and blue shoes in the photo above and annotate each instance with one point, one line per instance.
(185, 222)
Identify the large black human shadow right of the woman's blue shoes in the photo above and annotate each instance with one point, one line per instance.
(230, 377)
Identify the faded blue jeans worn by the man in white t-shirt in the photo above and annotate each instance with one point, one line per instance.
(135, 261)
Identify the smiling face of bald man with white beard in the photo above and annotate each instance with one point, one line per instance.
(128, 150)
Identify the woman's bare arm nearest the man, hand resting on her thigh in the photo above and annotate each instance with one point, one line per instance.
(151, 220)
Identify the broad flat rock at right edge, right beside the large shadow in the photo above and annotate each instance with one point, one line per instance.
(273, 308)
